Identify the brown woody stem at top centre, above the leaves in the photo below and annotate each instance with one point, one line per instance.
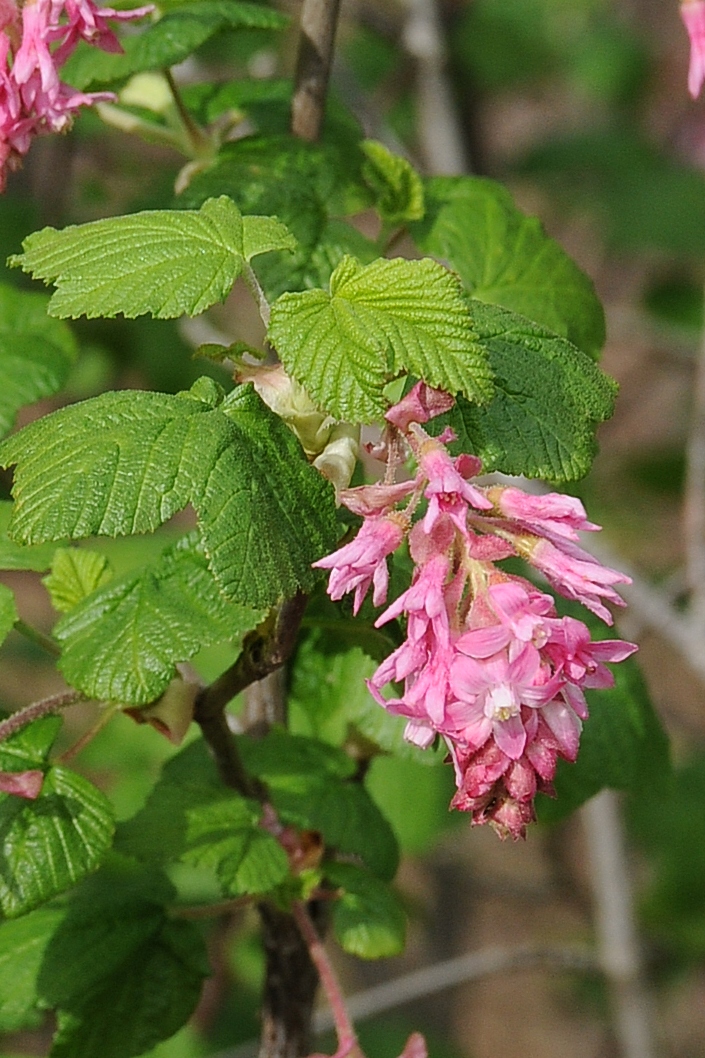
(319, 20)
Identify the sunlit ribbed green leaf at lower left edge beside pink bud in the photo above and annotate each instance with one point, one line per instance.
(48, 845)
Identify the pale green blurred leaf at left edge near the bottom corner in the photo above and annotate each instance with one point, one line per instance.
(23, 946)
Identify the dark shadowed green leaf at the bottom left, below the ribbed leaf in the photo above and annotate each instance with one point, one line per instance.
(123, 975)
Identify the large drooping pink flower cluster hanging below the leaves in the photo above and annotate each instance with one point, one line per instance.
(487, 663)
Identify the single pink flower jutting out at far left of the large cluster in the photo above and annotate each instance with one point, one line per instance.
(364, 561)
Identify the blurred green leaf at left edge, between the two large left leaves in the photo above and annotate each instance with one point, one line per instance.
(37, 353)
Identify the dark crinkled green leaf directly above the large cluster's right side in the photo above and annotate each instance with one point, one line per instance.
(549, 398)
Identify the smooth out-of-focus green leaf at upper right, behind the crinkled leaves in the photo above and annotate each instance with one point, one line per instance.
(507, 259)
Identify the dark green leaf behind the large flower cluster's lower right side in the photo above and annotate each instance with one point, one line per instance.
(623, 746)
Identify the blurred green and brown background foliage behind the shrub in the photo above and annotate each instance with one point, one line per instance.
(581, 106)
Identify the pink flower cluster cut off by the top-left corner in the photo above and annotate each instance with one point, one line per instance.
(35, 42)
